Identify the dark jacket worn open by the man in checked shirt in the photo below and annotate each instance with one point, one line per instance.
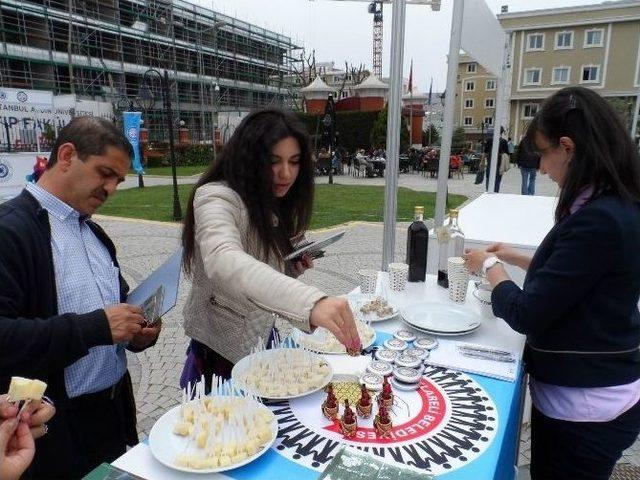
(36, 342)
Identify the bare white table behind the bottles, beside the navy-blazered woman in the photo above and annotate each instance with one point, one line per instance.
(520, 221)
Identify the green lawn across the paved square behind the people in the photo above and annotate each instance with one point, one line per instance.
(335, 204)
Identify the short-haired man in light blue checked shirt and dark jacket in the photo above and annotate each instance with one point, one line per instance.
(63, 318)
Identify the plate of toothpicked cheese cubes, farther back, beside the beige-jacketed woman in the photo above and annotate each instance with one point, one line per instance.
(282, 373)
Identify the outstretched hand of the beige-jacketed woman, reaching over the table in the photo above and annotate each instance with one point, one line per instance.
(335, 315)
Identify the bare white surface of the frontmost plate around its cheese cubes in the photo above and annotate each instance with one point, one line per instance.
(166, 445)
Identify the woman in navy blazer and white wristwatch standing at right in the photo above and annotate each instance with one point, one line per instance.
(579, 304)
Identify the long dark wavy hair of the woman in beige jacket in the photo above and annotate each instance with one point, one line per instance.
(245, 166)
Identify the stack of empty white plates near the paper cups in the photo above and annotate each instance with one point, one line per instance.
(440, 319)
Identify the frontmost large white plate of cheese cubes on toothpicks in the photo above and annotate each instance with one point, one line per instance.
(213, 434)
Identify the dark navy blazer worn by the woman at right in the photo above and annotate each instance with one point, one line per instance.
(579, 304)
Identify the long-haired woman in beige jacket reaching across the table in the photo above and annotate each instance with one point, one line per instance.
(240, 220)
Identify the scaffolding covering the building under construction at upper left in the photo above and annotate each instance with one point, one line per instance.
(100, 49)
